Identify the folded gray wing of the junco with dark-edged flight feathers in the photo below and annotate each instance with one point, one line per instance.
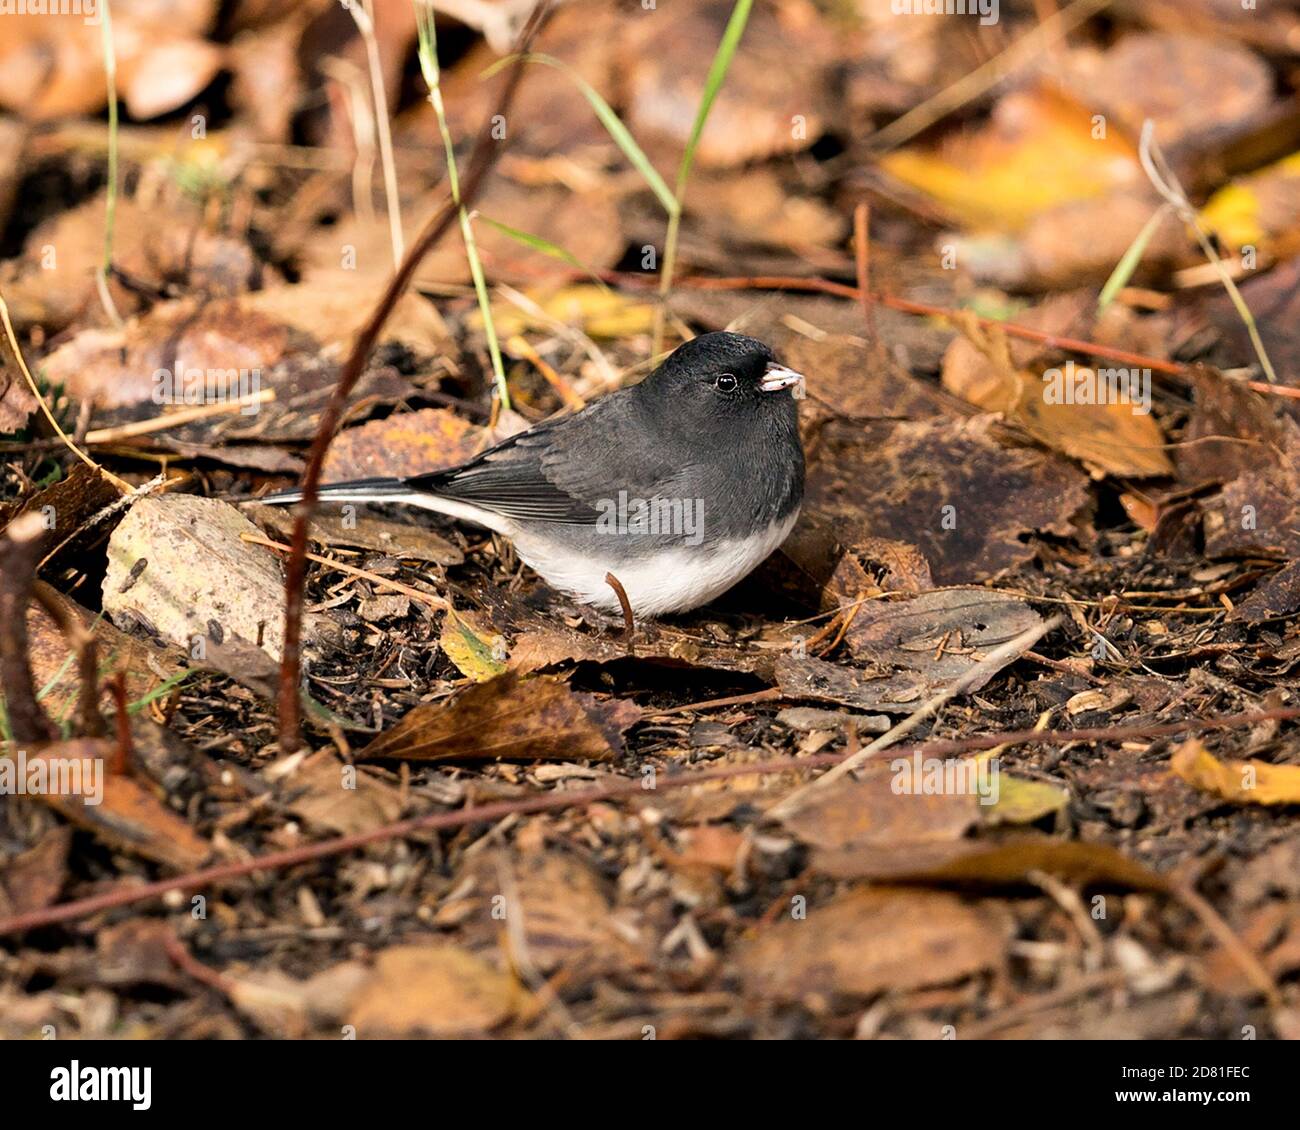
(564, 470)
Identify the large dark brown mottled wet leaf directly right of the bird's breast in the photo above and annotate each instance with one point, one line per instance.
(951, 488)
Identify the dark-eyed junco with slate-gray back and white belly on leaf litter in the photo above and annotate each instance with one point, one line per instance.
(679, 487)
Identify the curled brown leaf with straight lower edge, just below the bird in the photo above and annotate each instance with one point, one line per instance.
(510, 717)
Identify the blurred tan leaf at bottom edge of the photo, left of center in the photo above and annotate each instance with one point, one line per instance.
(434, 990)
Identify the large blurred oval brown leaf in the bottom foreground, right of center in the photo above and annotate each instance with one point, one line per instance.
(868, 942)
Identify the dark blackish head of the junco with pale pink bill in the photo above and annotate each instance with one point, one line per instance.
(722, 375)
